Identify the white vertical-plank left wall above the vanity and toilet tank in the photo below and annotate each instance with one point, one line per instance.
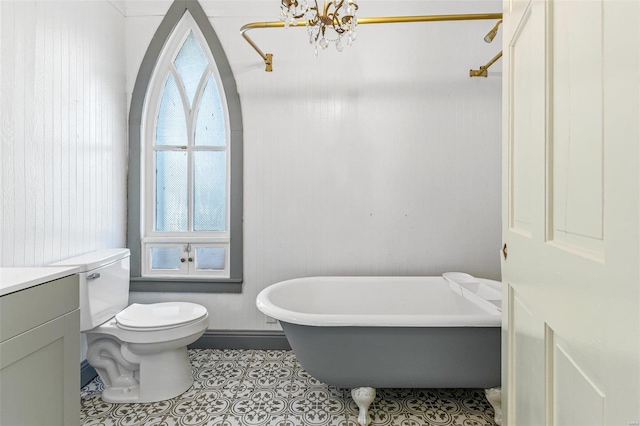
(63, 118)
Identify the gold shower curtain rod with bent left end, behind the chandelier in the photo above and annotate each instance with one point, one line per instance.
(364, 21)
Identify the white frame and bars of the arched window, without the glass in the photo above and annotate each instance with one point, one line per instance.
(149, 236)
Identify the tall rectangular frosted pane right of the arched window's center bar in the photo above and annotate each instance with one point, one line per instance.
(210, 191)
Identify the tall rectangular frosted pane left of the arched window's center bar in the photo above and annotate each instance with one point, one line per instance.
(172, 202)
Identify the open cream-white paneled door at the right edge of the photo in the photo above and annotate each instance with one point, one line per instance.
(571, 190)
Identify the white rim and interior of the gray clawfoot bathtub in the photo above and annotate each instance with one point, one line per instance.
(383, 301)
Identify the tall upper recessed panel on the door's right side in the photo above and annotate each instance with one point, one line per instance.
(577, 145)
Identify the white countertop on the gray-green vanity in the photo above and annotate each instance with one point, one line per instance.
(16, 279)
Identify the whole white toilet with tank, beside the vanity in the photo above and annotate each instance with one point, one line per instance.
(139, 351)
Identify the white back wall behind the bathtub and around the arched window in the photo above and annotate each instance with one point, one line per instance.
(381, 160)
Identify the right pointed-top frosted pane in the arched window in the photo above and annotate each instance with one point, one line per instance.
(210, 128)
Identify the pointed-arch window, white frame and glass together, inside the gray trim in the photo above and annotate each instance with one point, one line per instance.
(186, 160)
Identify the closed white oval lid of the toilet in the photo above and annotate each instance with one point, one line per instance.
(159, 315)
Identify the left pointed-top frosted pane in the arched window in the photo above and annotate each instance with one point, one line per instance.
(171, 128)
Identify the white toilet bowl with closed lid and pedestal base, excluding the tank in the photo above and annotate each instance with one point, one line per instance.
(140, 361)
